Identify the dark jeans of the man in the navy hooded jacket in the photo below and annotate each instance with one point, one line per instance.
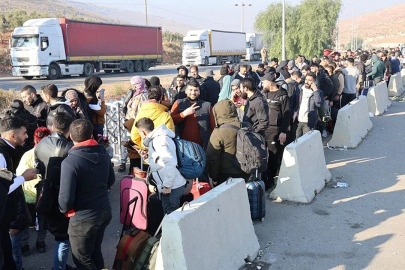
(86, 237)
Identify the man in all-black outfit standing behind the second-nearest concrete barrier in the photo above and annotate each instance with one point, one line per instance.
(279, 121)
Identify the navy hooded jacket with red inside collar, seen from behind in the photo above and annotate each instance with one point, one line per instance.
(86, 176)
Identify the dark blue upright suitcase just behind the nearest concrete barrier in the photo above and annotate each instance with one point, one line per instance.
(257, 199)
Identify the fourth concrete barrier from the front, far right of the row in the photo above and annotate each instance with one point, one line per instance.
(377, 99)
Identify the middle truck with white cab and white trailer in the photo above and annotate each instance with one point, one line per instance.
(213, 47)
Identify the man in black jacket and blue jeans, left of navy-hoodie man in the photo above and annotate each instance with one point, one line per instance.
(49, 153)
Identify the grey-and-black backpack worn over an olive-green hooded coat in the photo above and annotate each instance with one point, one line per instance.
(251, 150)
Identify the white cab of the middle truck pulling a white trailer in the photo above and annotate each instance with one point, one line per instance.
(196, 48)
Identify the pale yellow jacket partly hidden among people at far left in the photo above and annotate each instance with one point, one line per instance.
(28, 162)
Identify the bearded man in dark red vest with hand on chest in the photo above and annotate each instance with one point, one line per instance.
(193, 117)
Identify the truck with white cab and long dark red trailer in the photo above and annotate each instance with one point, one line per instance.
(57, 47)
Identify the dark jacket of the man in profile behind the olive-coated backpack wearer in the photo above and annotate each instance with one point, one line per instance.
(257, 112)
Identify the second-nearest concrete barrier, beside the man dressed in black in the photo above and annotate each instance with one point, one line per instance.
(303, 171)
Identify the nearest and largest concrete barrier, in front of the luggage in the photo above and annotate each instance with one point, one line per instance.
(214, 231)
